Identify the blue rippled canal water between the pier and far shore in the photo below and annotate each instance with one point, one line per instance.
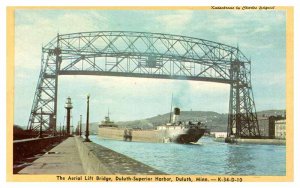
(206, 157)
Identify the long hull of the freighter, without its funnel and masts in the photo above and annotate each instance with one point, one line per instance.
(167, 134)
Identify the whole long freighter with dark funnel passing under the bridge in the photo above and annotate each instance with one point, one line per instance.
(175, 131)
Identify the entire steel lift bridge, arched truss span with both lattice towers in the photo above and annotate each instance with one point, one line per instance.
(150, 55)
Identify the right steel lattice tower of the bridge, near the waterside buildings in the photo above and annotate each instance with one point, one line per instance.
(242, 118)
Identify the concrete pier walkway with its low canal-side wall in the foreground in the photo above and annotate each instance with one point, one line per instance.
(74, 156)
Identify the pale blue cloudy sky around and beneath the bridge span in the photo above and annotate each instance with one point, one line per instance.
(260, 35)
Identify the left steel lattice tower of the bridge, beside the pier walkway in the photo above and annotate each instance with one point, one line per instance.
(44, 104)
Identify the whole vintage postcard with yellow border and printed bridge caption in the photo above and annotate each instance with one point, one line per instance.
(150, 94)
